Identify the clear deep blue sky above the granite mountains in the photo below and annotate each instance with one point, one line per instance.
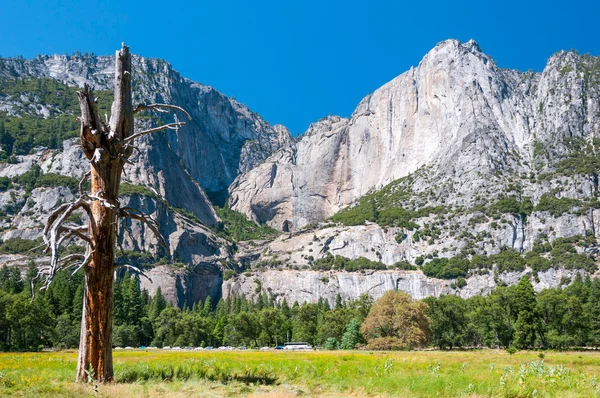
(295, 62)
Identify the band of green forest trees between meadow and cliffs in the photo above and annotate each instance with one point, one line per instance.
(513, 316)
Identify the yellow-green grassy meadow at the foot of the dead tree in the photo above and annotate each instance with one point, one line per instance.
(486, 373)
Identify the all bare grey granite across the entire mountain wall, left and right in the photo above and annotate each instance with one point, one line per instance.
(456, 133)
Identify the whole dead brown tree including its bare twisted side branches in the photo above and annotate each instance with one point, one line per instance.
(107, 146)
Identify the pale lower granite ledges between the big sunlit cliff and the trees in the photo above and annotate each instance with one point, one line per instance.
(271, 274)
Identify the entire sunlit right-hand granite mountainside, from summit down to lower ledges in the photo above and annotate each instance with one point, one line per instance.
(456, 132)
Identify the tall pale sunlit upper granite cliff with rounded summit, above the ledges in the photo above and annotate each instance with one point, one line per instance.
(470, 124)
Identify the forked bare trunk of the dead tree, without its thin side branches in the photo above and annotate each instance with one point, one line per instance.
(103, 146)
